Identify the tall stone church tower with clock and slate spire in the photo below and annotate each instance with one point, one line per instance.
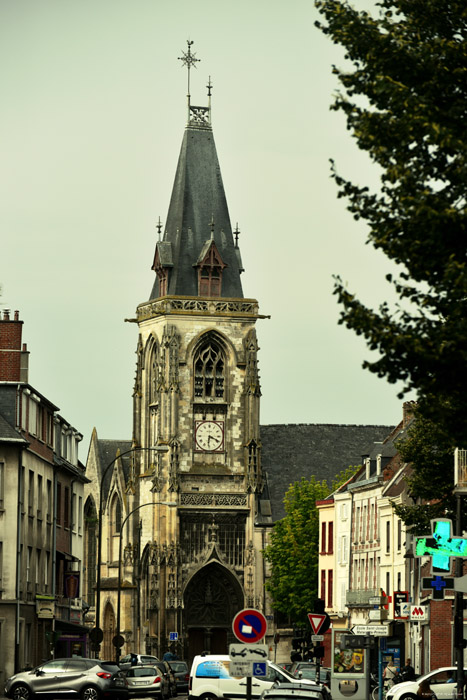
(196, 396)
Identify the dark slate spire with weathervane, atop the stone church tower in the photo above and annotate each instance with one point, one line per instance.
(197, 255)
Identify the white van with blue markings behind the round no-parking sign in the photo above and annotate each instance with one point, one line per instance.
(210, 678)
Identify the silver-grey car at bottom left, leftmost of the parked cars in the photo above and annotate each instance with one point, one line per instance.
(88, 679)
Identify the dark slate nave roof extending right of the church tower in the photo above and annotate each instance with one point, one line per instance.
(290, 452)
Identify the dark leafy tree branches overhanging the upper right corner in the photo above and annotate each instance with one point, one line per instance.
(404, 95)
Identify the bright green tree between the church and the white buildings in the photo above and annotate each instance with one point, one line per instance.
(293, 547)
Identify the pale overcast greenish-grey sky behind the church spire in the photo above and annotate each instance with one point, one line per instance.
(92, 119)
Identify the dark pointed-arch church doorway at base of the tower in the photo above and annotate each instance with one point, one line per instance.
(212, 599)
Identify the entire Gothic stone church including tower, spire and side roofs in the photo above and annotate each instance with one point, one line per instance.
(176, 518)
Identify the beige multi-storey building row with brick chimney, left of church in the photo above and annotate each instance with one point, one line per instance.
(41, 526)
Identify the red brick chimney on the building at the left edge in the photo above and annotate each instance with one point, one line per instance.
(13, 355)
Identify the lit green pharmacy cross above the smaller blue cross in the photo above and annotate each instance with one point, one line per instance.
(441, 546)
